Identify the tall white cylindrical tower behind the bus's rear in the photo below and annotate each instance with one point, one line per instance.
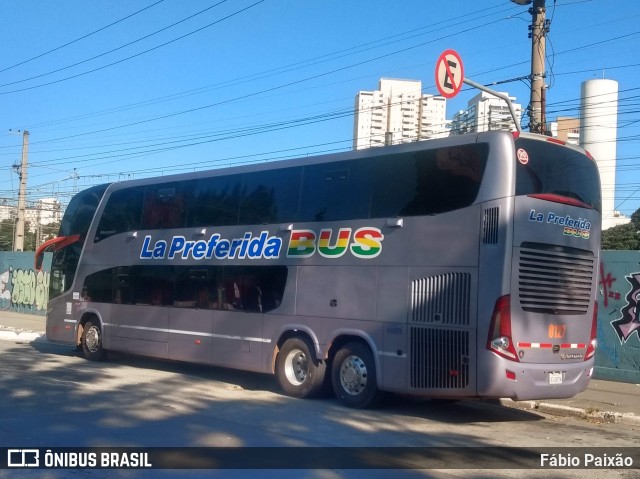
(598, 135)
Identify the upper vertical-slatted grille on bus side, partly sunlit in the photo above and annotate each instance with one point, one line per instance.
(442, 299)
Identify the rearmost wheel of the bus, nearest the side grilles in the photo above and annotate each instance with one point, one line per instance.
(354, 376)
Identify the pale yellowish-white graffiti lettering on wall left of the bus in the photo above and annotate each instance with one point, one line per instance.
(24, 289)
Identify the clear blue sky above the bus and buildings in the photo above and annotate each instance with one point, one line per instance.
(124, 89)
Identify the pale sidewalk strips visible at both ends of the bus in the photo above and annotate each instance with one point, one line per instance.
(606, 401)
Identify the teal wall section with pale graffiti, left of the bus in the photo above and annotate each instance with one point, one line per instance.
(22, 288)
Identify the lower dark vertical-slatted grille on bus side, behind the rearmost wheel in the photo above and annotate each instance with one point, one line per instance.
(439, 358)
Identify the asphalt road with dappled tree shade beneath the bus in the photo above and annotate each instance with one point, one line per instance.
(50, 397)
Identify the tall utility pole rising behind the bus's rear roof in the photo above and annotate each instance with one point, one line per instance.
(537, 32)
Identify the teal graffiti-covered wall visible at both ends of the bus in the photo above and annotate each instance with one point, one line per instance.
(24, 290)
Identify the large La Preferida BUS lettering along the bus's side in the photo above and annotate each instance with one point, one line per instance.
(363, 243)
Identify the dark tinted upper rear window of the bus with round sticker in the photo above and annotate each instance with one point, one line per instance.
(556, 173)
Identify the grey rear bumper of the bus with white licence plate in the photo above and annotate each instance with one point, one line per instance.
(526, 381)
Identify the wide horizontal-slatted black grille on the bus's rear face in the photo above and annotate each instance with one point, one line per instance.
(555, 279)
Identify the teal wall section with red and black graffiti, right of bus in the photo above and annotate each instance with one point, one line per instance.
(618, 353)
